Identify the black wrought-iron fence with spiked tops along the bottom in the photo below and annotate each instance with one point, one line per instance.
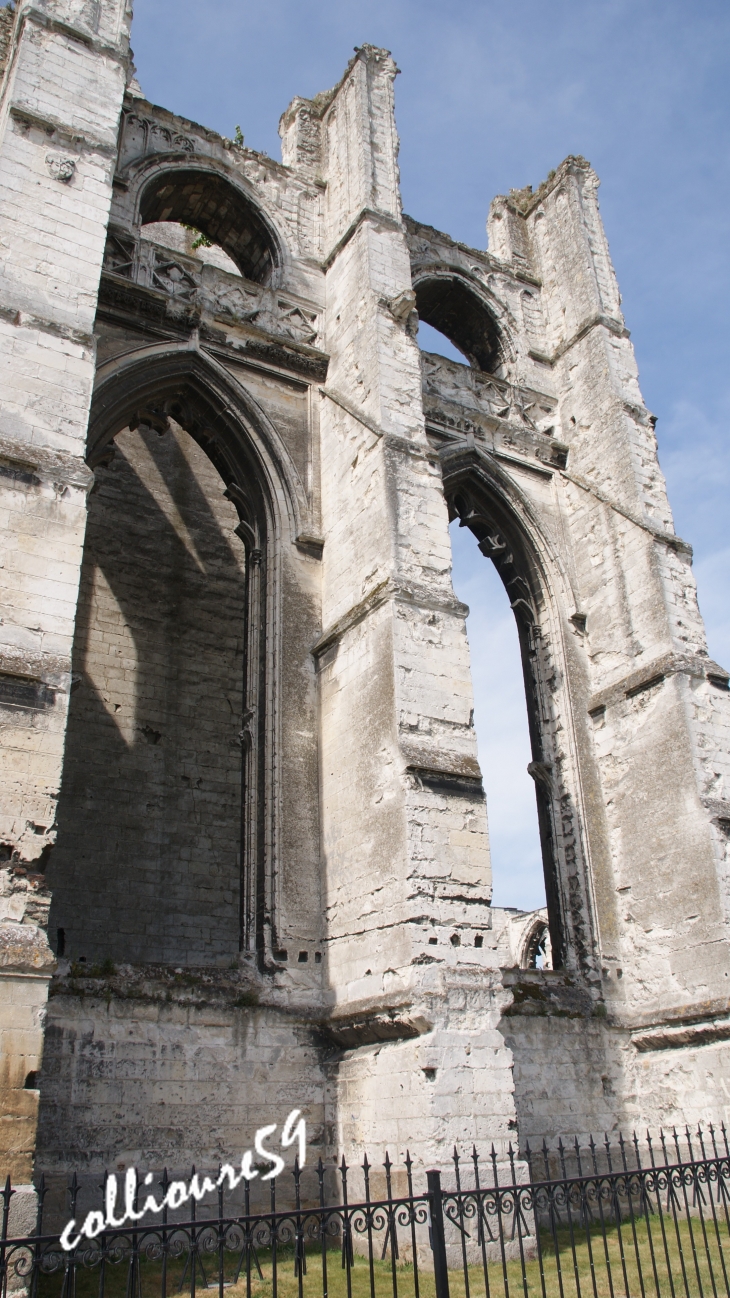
(596, 1221)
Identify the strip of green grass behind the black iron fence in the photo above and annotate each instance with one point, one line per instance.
(677, 1262)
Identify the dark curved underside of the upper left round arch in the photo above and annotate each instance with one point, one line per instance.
(219, 211)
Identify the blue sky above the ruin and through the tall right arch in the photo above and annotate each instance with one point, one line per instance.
(492, 97)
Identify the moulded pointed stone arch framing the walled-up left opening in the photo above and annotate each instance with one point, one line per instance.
(164, 390)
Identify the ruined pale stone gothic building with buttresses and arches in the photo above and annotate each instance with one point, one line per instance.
(245, 835)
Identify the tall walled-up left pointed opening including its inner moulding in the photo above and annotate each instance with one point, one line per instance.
(162, 852)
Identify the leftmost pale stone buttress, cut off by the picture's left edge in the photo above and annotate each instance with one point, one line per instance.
(63, 88)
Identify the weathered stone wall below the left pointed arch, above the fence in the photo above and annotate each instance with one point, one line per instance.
(155, 1070)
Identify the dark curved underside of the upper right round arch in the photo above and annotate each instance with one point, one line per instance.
(451, 307)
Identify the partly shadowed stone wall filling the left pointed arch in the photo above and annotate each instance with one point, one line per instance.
(147, 866)
